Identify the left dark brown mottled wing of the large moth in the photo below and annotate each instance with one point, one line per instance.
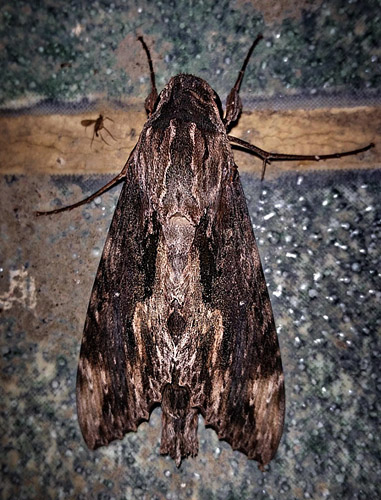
(118, 372)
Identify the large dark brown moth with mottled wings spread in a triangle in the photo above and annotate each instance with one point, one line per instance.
(179, 314)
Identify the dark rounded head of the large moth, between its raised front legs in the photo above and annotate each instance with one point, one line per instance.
(189, 98)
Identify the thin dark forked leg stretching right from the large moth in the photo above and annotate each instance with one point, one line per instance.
(267, 157)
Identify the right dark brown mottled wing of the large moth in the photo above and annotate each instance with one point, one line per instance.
(240, 387)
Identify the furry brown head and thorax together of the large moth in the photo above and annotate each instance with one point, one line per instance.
(188, 139)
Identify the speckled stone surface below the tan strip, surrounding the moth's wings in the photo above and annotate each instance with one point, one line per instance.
(319, 237)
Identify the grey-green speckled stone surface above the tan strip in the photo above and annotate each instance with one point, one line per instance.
(67, 52)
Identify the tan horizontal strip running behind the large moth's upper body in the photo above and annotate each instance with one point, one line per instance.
(59, 144)
